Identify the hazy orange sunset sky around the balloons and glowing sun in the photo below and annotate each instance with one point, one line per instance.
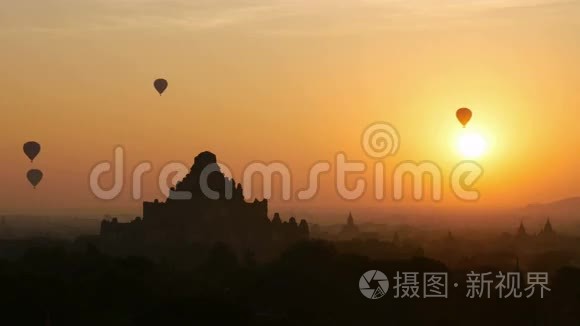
(289, 81)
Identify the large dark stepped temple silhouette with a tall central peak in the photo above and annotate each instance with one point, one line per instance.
(205, 207)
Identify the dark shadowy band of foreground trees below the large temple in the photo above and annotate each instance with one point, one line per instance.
(309, 284)
